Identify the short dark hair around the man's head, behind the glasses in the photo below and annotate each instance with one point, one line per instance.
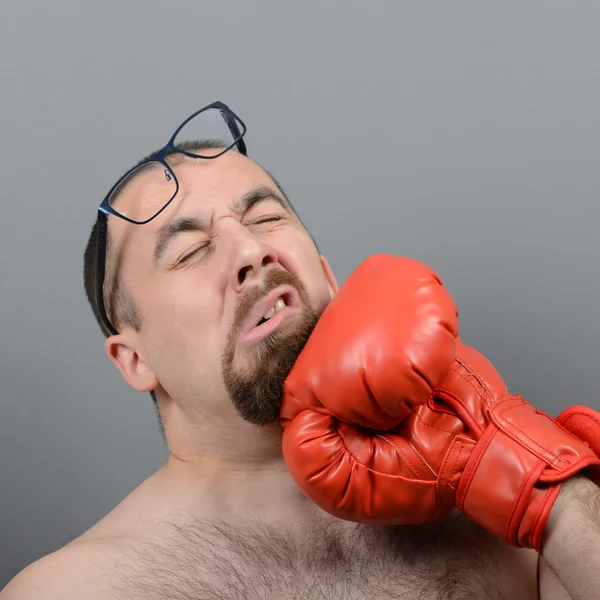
(118, 301)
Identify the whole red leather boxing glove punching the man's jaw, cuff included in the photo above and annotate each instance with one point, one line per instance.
(469, 443)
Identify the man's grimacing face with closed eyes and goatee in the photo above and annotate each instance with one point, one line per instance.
(231, 253)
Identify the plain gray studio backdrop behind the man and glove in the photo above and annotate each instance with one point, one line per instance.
(466, 135)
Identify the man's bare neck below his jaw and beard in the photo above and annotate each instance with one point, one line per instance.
(226, 468)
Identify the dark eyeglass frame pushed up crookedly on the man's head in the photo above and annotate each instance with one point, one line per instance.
(105, 209)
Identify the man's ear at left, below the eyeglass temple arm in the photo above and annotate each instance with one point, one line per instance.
(122, 349)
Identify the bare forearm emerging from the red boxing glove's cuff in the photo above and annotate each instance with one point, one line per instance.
(572, 541)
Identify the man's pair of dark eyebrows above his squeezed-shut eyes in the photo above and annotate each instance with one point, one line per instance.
(170, 230)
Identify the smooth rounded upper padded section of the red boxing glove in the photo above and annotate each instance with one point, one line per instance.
(388, 338)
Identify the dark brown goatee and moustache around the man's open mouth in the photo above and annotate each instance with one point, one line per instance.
(256, 392)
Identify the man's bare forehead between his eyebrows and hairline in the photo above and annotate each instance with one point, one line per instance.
(204, 185)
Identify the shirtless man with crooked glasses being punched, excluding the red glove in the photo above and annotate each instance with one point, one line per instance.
(194, 254)
